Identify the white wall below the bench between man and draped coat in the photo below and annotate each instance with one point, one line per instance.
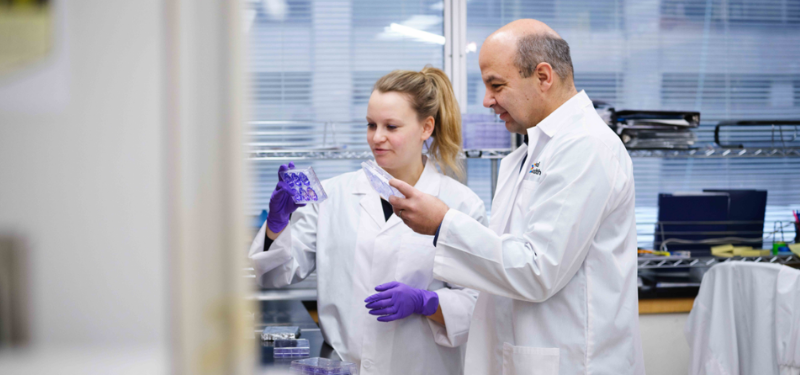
(666, 351)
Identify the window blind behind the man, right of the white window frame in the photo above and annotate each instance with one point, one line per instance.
(730, 60)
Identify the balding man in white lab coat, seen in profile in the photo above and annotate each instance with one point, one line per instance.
(557, 266)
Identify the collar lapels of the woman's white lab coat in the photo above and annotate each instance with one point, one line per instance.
(429, 183)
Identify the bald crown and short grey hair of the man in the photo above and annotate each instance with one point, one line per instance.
(532, 42)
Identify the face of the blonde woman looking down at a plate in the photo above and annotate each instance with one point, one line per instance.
(394, 132)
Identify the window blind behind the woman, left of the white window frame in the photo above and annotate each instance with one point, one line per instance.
(312, 65)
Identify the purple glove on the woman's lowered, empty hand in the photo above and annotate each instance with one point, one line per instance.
(397, 301)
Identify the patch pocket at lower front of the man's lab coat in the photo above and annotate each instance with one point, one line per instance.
(524, 360)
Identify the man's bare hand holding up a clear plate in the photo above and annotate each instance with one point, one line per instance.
(423, 213)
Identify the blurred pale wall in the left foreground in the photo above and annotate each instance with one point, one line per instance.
(82, 178)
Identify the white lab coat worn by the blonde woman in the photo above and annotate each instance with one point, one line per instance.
(354, 249)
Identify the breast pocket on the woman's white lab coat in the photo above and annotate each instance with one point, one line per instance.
(415, 261)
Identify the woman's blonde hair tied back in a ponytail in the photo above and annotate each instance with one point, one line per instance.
(432, 95)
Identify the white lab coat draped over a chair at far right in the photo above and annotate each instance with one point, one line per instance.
(746, 320)
